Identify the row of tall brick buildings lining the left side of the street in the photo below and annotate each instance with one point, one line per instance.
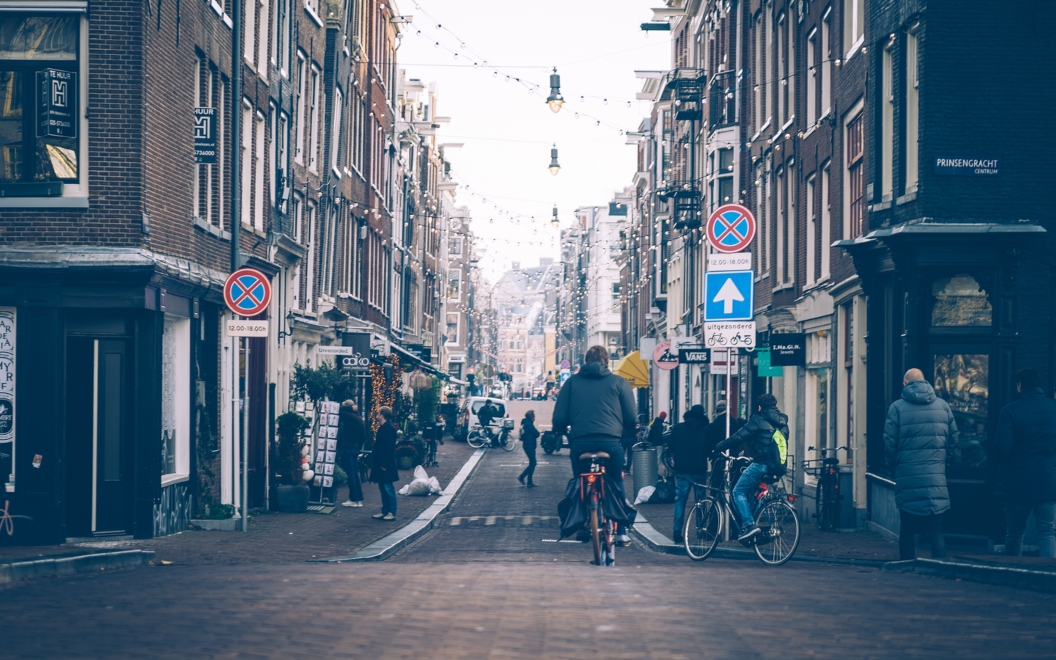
(120, 413)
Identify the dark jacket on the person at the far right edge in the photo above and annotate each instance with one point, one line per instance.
(1027, 447)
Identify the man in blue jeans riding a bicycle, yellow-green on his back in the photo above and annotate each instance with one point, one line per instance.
(758, 439)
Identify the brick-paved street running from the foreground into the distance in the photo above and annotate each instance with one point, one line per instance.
(489, 582)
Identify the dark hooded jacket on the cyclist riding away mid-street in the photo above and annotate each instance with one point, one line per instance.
(597, 405)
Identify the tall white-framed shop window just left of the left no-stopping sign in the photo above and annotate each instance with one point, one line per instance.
(176, 399)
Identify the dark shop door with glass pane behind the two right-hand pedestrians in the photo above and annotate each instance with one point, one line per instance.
(961, 378)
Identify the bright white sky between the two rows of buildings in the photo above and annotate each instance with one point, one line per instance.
(596, 45)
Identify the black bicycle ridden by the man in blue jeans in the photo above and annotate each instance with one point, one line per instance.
(713, 516)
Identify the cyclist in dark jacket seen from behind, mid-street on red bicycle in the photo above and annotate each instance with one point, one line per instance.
(600, 408)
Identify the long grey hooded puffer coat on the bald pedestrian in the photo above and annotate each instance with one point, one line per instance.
(919, 436)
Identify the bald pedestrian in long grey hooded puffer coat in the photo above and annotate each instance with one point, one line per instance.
(919, 436)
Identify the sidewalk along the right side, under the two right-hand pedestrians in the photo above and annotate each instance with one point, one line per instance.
(858, 546)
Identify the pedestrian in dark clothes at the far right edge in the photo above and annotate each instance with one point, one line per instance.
(1026, 447)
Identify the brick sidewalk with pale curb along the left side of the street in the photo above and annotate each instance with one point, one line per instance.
(275, 537)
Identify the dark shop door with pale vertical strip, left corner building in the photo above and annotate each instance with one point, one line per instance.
(99, 466)
